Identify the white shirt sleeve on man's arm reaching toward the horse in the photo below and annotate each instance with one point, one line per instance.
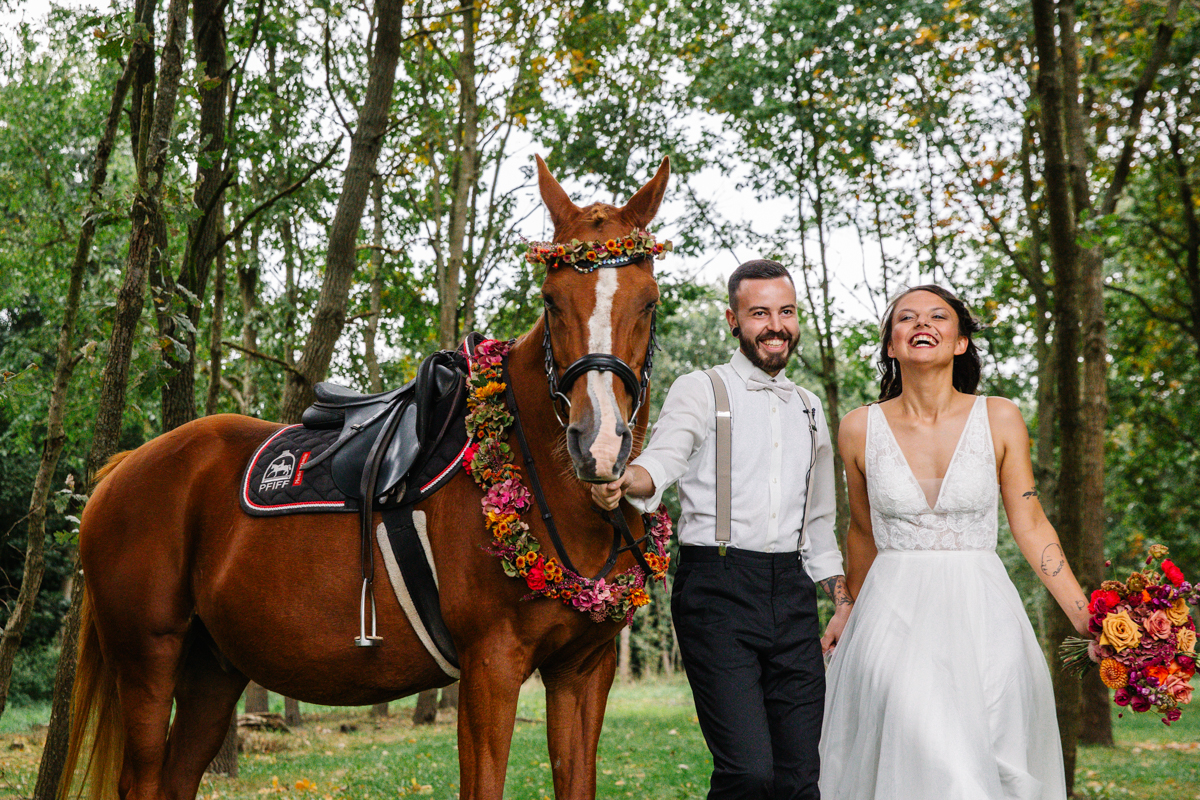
(679, 434)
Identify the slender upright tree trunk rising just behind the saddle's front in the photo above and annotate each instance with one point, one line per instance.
(463, 183)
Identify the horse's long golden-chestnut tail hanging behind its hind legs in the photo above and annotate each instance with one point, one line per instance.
(95, 715)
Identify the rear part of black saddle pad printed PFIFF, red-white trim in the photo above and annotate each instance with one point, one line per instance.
(277, 482)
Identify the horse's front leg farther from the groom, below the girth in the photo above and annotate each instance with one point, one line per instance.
(488, 711)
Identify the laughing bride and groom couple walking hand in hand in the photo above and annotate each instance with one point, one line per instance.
(937, 685)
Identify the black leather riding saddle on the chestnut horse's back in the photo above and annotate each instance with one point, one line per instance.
(392, 432)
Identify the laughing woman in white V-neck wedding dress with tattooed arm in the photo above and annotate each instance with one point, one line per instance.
(975, 718)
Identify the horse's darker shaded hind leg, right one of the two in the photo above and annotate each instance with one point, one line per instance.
(206, 700)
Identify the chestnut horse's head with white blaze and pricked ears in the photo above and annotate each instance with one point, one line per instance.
(599, 324)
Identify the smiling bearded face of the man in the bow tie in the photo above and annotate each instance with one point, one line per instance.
(766, 316)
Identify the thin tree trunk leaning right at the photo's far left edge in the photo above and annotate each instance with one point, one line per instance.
(56, 430)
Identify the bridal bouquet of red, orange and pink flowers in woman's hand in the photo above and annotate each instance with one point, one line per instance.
(1145, 637)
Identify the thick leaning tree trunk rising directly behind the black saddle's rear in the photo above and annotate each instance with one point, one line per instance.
(329, 316)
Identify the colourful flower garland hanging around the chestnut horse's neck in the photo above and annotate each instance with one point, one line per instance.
(506, 500)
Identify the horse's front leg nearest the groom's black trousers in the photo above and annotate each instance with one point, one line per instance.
(577, 696)
